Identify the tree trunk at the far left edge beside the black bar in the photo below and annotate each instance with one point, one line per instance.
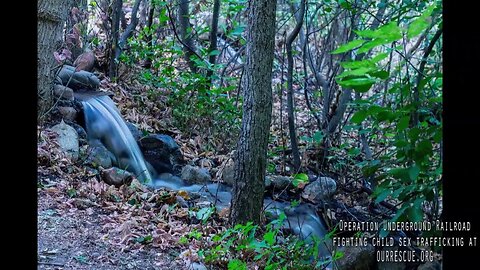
(51, 17)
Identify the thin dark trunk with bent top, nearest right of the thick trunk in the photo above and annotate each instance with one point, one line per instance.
(290, 107)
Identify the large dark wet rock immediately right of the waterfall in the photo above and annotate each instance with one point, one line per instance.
(162, 152)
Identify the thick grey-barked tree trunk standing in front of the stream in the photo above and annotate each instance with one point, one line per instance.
(251, 154)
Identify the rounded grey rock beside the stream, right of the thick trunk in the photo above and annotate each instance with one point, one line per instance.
(321, 189)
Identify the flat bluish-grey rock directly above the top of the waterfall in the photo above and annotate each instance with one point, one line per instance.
(78, 79)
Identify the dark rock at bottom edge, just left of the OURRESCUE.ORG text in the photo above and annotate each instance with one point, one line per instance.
(357, 258)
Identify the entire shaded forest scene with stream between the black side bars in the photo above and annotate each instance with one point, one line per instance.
(239, 134)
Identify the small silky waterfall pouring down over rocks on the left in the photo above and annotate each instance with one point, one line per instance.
(105, 126)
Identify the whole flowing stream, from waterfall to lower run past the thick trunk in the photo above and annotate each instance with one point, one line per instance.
(105, 126)
